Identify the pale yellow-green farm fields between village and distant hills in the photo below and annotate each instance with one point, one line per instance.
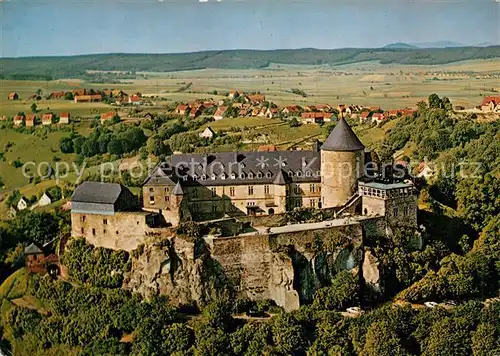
(367, 83)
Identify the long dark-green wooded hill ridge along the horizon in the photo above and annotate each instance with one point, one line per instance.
(47, 68)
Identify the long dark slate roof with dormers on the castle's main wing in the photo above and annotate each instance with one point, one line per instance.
(247, 167)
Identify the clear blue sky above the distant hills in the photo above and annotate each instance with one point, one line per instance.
(69, 27)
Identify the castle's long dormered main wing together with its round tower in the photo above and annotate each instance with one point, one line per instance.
(212, 185)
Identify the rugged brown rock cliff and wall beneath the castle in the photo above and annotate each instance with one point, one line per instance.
(287, 268)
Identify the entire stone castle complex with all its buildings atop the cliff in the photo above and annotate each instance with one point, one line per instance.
(231, 184)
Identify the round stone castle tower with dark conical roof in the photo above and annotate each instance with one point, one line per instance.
(342, 164)
